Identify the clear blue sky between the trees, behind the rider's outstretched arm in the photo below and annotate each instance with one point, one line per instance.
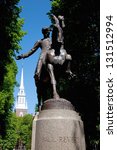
(34, 13)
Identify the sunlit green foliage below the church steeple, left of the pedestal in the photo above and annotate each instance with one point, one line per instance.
(19, 131)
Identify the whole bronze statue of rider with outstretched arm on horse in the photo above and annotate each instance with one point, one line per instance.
(52, 54)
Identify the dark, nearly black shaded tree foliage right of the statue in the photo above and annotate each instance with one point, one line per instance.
(82, 37)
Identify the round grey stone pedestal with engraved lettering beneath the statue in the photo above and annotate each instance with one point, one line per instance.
(58, 129)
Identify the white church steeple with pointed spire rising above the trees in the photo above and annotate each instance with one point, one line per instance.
(21, 103)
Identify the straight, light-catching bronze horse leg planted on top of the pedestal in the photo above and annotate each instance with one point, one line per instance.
(53, 81)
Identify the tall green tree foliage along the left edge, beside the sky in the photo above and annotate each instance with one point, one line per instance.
(10, 35)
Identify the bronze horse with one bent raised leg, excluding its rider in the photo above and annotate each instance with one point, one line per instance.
(57, 55)
